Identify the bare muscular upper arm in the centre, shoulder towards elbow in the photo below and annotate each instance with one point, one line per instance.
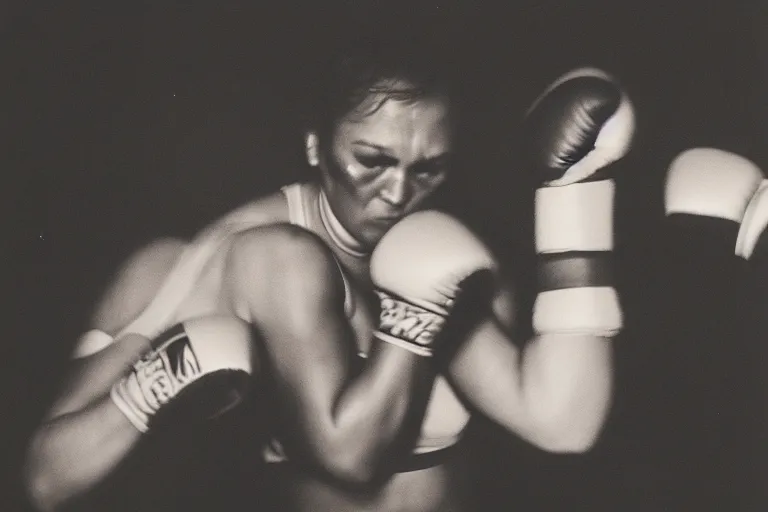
(289, 283)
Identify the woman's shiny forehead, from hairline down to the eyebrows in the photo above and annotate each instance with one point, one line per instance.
(390, 122)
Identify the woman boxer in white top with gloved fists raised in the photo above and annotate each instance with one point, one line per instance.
(361, 421)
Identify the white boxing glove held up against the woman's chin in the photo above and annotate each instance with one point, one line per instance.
(418, 269)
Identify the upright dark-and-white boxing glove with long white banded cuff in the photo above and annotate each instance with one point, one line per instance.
(582, 123)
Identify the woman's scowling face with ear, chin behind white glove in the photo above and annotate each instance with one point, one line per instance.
(383, 164)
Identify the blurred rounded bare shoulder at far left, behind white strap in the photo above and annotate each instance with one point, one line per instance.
(135, 283)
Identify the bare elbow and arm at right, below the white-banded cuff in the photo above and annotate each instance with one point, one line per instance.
(554, 392)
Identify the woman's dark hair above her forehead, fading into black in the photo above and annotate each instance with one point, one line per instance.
(405, 69)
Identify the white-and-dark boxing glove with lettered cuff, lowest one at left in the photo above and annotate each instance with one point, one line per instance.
(196, 370)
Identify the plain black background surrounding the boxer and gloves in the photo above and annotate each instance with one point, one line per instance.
(133, 121)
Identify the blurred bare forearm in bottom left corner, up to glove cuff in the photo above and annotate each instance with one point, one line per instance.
(74, 452)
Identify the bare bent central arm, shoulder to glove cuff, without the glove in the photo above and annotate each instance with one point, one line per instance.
(343, 416)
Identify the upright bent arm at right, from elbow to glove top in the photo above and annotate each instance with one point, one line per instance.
(556, 393)
